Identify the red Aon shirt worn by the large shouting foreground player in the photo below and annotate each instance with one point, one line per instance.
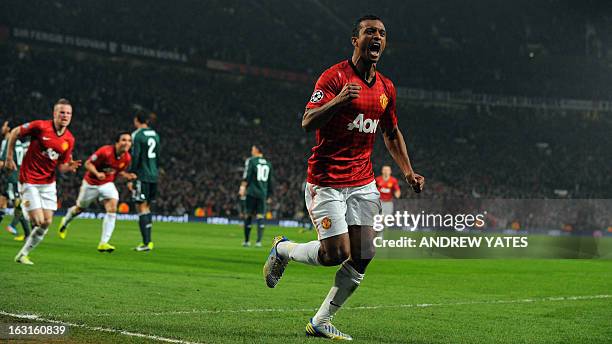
(341, 157)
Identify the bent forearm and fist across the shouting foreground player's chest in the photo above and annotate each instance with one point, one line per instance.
(316, 118)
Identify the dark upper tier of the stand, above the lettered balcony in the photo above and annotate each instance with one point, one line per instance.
(552, 48)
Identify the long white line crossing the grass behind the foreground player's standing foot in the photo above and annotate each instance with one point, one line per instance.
(417, 305)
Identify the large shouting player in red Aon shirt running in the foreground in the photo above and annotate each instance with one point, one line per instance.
(350, 101)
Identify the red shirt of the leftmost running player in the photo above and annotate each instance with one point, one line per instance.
(47, 150)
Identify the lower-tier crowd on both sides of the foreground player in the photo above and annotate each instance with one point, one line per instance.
(207, 122)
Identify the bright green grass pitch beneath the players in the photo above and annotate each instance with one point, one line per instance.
(200, 285)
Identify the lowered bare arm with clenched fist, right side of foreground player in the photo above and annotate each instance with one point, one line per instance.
(394, 140)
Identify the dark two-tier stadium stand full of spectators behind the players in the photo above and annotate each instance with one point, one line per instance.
(466, 151)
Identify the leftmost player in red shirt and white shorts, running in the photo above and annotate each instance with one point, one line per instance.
(51, 145)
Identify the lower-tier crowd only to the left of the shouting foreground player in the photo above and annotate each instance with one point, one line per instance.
(206, 122)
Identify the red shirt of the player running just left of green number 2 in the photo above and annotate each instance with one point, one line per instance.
(107, 161)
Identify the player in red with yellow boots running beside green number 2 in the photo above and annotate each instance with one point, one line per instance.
(103, 167)
